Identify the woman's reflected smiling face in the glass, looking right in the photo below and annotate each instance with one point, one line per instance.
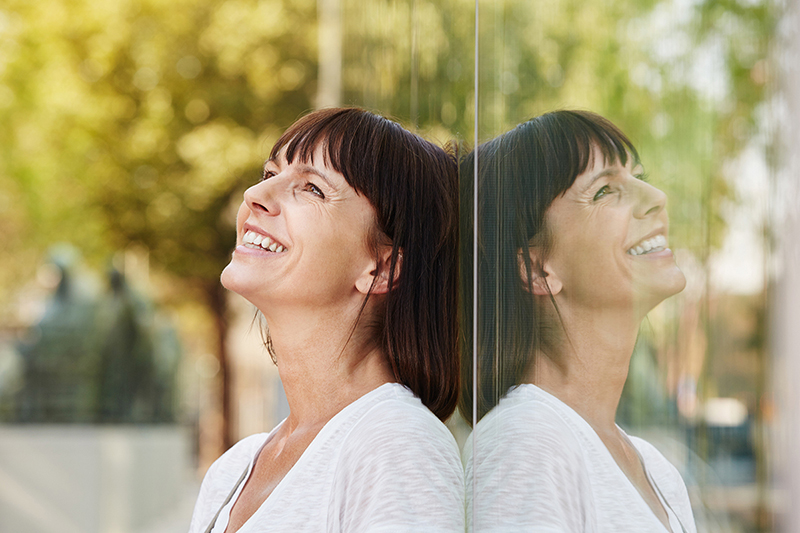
(610, 234)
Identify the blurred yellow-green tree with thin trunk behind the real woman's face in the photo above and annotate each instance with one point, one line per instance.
(140, 122)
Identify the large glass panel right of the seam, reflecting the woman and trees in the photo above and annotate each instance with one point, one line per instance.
(692, 86)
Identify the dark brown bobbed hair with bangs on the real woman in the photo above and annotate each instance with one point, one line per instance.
(412, 184)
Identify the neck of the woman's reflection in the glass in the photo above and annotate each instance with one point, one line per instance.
(589, 368)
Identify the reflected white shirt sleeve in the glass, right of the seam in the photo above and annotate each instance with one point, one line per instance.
(528, 473)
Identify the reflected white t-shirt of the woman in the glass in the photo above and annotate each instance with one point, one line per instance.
(542, 468)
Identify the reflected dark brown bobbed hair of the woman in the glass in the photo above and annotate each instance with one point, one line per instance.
(520, 173)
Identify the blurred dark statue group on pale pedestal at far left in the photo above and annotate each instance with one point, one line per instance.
(97, 358)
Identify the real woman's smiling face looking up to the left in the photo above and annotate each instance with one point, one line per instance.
(302, 237)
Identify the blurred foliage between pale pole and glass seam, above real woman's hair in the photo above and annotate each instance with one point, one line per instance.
(412, 60)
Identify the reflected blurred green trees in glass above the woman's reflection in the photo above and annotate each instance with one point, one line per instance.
(687, 80)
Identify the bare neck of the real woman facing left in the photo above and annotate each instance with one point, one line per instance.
(323, 367)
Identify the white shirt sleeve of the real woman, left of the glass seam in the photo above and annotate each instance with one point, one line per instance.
(399, 471)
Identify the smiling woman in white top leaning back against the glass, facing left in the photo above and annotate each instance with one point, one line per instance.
(348, 247)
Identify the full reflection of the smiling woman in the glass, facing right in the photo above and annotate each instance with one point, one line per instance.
(573, 252)
